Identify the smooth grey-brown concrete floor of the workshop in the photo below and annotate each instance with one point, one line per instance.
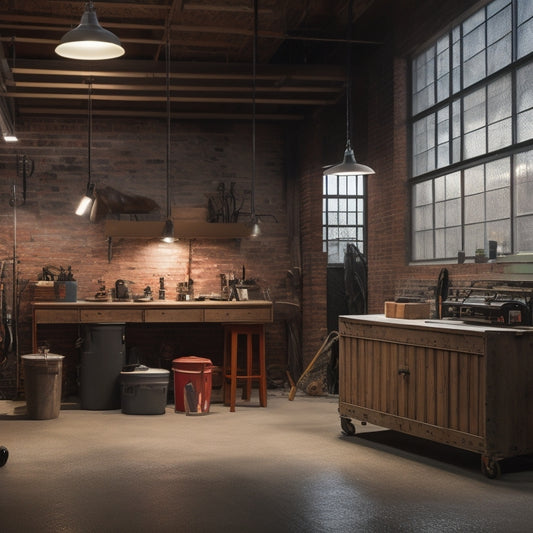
(284, 468)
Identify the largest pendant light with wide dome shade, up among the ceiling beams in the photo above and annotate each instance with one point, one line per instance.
(89, 41)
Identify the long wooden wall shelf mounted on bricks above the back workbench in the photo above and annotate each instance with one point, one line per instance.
(133, 229)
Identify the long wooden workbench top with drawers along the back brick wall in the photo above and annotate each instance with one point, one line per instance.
(157, 311)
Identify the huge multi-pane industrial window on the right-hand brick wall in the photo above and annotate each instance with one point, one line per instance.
(472, 135)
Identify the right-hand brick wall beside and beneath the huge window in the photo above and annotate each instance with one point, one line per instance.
(388, 152)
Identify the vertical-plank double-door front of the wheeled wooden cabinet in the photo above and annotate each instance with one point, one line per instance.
(435, 386)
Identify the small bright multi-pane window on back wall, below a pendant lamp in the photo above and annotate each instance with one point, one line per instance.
(343, 215)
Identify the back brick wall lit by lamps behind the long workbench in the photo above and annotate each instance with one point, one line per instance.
(130, 156)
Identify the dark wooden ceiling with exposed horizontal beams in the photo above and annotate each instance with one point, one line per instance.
(211, 74)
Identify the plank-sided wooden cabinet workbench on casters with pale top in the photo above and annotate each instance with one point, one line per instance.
(469, 386)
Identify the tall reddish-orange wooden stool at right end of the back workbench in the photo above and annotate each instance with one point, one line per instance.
(255, 370)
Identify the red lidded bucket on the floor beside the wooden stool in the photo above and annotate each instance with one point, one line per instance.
(192, 384)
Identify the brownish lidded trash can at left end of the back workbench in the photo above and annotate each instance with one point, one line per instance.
(42, 385)
